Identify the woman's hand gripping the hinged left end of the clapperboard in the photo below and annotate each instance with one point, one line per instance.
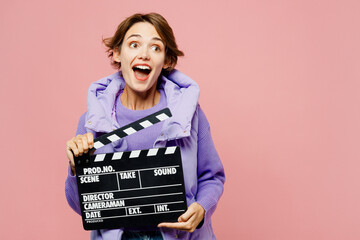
(78, 145)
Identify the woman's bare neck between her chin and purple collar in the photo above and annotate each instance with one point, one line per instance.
(139, 100)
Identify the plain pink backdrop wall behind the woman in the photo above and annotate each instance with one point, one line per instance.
(280, 84)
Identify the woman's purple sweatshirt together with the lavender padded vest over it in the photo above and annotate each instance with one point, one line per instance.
(203, 171)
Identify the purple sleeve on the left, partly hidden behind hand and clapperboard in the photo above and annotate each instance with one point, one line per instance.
(71, 190)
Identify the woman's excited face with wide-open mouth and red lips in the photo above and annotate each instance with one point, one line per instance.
(142, 57)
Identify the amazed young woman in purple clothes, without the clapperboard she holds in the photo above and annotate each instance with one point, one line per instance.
(144, 51)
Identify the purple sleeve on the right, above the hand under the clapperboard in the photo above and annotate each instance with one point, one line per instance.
(211, 175)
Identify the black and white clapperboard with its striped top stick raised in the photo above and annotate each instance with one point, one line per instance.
(131, 189)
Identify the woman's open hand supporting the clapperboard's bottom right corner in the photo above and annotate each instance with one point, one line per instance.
(189, 220)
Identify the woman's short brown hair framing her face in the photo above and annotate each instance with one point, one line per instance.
(163, 29)
